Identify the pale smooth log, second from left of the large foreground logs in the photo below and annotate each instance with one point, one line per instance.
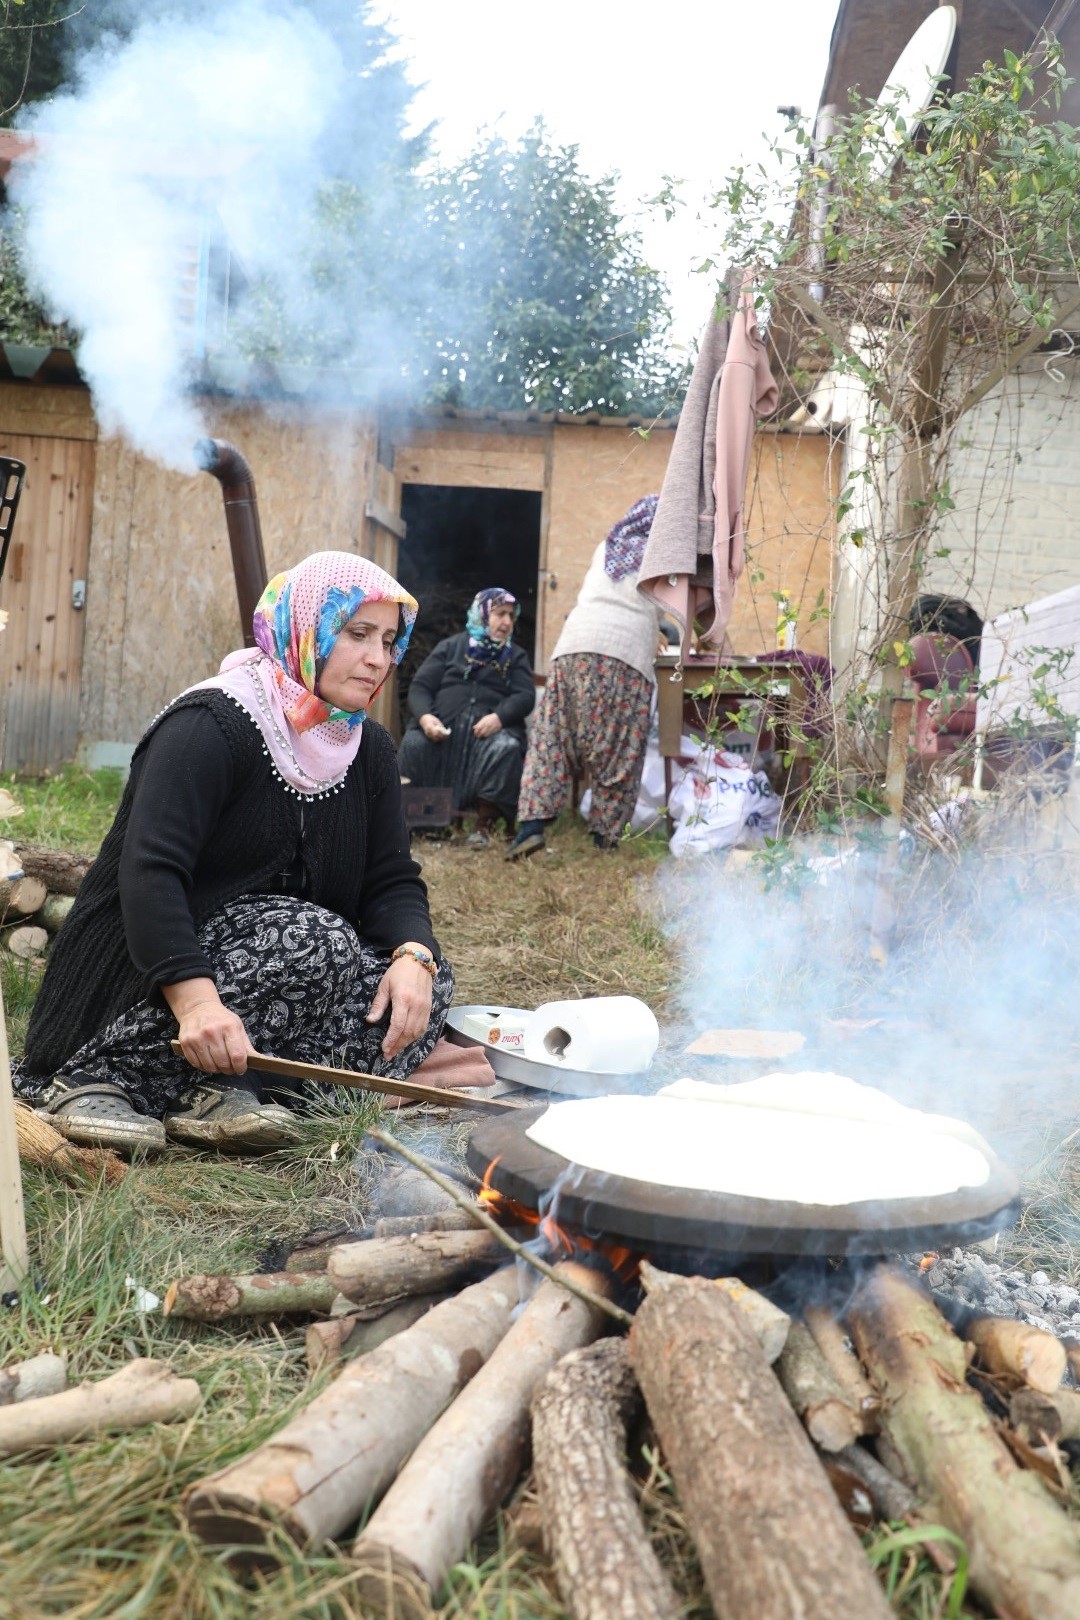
(466, 1467)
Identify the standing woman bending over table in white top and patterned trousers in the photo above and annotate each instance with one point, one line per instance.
(600, 691)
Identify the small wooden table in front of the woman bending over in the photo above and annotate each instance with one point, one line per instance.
(710, 691)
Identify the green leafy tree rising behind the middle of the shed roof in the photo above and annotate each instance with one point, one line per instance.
(546, 301)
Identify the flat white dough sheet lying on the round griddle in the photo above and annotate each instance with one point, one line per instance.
(827, 1141)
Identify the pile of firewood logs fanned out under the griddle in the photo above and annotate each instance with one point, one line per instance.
(784, 1436)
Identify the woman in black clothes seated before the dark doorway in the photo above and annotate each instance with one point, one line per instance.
(469, 704)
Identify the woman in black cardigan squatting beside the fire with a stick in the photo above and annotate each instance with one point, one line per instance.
(255, 892)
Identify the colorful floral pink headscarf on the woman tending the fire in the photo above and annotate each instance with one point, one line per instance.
(297, 621)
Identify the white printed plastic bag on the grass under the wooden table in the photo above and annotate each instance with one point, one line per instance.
(721, 803)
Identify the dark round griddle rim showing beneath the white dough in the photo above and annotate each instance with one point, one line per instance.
(652, 1217)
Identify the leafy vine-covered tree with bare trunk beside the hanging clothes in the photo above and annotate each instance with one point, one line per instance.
(919, 268)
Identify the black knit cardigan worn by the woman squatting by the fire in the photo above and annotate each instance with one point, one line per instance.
(203, 821)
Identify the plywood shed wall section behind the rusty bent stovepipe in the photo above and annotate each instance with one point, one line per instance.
(161, 605)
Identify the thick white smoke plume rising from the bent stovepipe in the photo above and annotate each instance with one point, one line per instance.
(185, 132)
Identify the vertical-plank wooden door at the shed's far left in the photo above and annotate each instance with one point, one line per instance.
(45, 594)
